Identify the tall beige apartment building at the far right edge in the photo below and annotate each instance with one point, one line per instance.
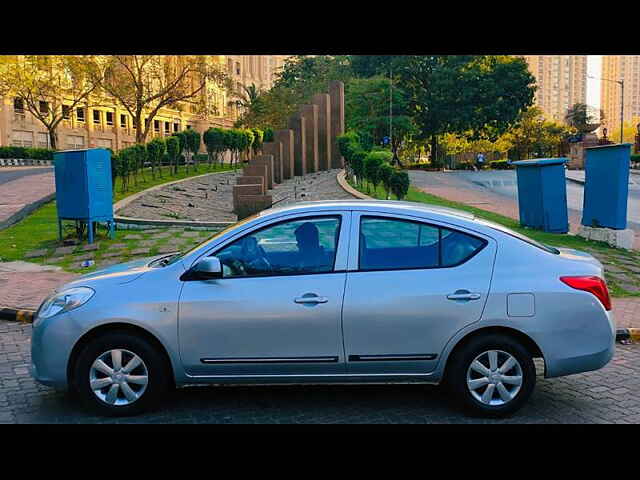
(620, 67)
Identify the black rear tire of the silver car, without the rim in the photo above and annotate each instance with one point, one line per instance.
(456, 379)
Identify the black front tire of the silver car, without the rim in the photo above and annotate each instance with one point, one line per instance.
(158, 374)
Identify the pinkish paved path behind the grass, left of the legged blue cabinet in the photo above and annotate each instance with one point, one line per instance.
(17, 194)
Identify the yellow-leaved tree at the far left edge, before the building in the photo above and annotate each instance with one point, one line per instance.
(50, 87)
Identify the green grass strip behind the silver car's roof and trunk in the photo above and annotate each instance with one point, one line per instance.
(623, 281)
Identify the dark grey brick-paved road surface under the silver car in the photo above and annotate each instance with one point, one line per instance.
(609, 395)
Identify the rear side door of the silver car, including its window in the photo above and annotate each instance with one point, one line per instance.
(410, 287)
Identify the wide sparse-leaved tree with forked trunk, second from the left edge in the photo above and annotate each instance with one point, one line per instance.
(143, 84)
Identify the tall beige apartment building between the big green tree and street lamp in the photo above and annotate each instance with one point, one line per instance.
(561, 80)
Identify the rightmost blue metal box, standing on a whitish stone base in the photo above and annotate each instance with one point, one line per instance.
(606, 187)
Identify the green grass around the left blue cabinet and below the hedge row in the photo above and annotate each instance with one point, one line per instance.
(39, 230)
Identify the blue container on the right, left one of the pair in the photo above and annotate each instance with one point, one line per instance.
(542, 194)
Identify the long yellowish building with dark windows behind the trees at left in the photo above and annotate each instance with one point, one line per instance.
(111, 126)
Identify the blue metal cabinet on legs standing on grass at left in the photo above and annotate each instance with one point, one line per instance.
(83, 187)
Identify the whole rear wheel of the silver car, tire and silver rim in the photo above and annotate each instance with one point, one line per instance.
(492, 375)
